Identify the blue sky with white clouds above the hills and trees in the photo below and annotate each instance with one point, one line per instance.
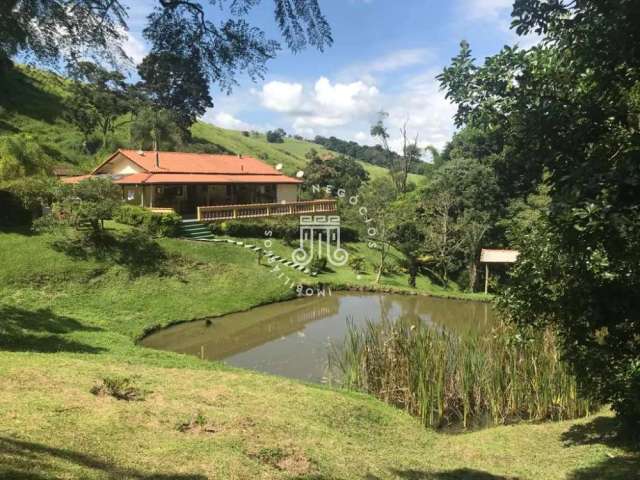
(385, 56)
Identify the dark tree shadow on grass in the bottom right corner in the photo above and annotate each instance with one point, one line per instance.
(604, 431)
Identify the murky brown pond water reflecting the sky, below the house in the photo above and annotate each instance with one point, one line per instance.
(293, 338)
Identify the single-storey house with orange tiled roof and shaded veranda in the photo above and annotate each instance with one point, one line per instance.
(186, 181)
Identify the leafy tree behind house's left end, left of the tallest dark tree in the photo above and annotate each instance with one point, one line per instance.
(99, 96)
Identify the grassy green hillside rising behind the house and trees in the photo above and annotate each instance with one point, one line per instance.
(32, 102)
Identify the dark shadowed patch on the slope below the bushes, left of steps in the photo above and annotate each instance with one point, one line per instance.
(133, 250)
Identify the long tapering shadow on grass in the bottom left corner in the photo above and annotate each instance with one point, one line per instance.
(21, 460)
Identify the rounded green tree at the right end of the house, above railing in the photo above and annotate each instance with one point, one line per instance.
(340, 172)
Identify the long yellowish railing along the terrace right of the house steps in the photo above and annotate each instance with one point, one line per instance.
(230, 212)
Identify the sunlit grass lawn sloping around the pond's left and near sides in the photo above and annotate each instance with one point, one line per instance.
(66, 323)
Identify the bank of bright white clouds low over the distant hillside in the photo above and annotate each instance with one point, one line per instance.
(347, 110)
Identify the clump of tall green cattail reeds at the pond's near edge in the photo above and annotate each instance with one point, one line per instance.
(464, 381)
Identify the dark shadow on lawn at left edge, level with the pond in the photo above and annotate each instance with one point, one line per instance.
(40, 331)
